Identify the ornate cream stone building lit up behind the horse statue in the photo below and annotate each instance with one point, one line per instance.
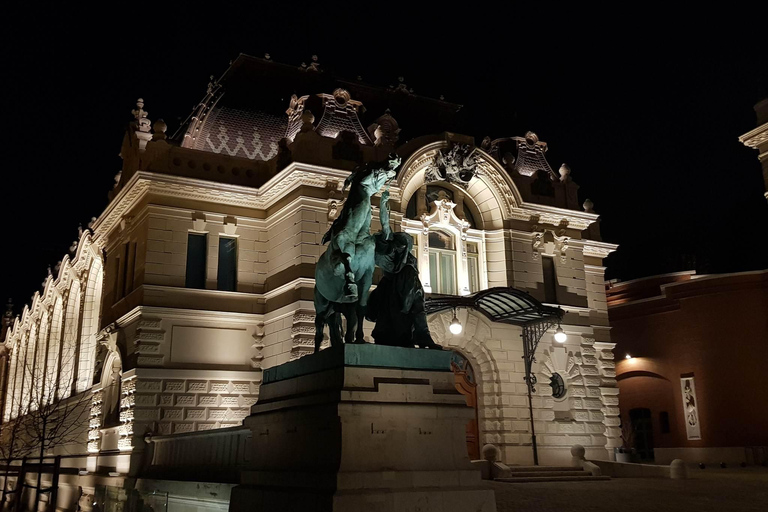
(199, 274)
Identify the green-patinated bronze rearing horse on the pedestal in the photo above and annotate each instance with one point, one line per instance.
(344, 272)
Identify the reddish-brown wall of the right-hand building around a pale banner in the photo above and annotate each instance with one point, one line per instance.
(715, 328)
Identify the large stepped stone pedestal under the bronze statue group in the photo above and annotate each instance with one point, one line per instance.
(361, 428)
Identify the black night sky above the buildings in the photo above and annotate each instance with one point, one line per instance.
(645, 106)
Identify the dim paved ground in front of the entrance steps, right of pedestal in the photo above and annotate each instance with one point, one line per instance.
(721, 490)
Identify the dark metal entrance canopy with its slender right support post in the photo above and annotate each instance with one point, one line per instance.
(509, 306)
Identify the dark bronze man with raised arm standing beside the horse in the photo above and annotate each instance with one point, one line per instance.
(397, 303)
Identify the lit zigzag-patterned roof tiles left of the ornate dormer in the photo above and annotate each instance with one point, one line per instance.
(241, 133)
